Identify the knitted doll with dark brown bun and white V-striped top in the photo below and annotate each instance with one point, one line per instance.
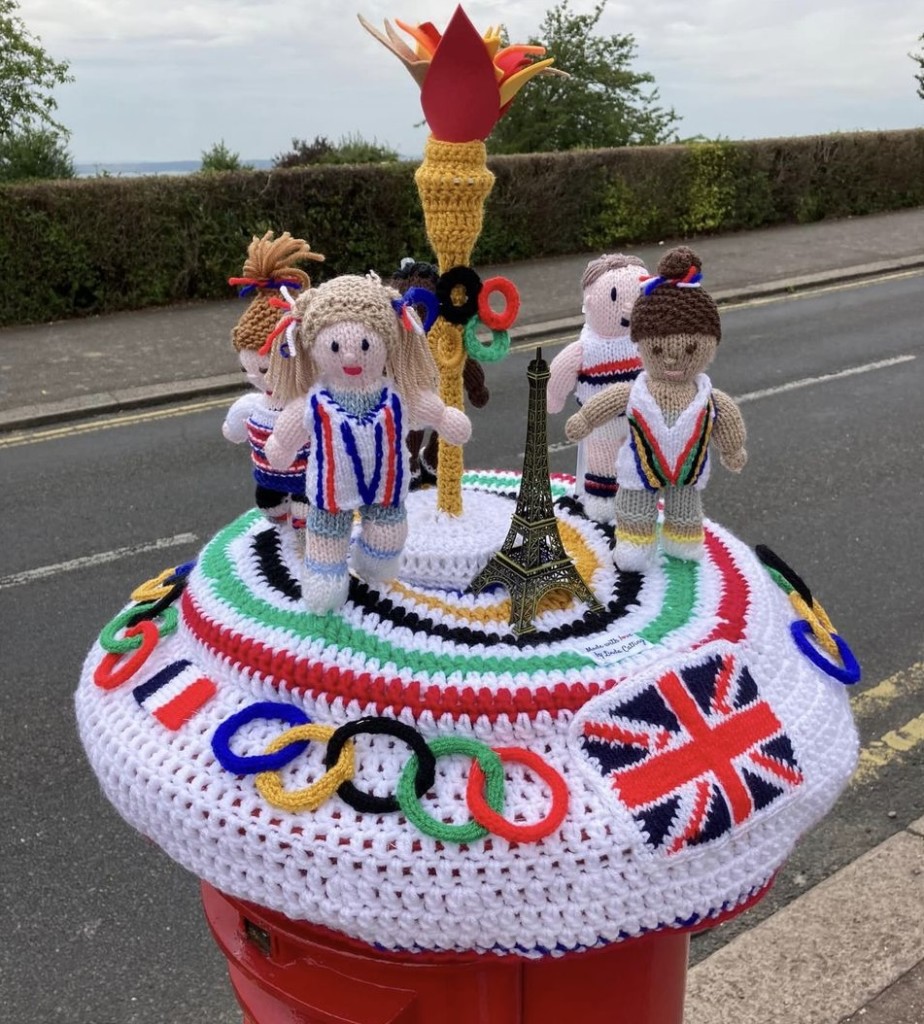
(674, 414)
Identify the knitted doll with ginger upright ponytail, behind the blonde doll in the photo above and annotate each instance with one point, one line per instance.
(280, 493)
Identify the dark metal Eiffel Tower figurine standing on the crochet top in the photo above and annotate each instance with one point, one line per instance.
(533, 561)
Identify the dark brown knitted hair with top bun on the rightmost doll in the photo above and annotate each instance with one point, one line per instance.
(668, 310)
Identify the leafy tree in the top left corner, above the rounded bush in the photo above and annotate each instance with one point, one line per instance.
(28, 77)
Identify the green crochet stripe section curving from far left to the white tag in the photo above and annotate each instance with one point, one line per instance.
(338, 634)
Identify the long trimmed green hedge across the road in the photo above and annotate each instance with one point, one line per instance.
(100, 245)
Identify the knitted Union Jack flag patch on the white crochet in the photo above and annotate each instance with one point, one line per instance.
(692, 753)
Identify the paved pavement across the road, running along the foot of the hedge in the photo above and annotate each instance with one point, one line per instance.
(72, 369)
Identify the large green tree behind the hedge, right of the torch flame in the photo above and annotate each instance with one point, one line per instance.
(605, 103)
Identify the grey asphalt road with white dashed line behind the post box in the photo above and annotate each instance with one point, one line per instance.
(101, 928)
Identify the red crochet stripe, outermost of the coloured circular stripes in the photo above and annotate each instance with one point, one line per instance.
(393, 695)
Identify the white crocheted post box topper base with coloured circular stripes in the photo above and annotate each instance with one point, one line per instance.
(604, 712)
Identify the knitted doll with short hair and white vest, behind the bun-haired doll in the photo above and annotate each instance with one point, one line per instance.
(603, 356)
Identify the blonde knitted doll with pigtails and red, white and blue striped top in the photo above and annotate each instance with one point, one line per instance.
(365, 381)
